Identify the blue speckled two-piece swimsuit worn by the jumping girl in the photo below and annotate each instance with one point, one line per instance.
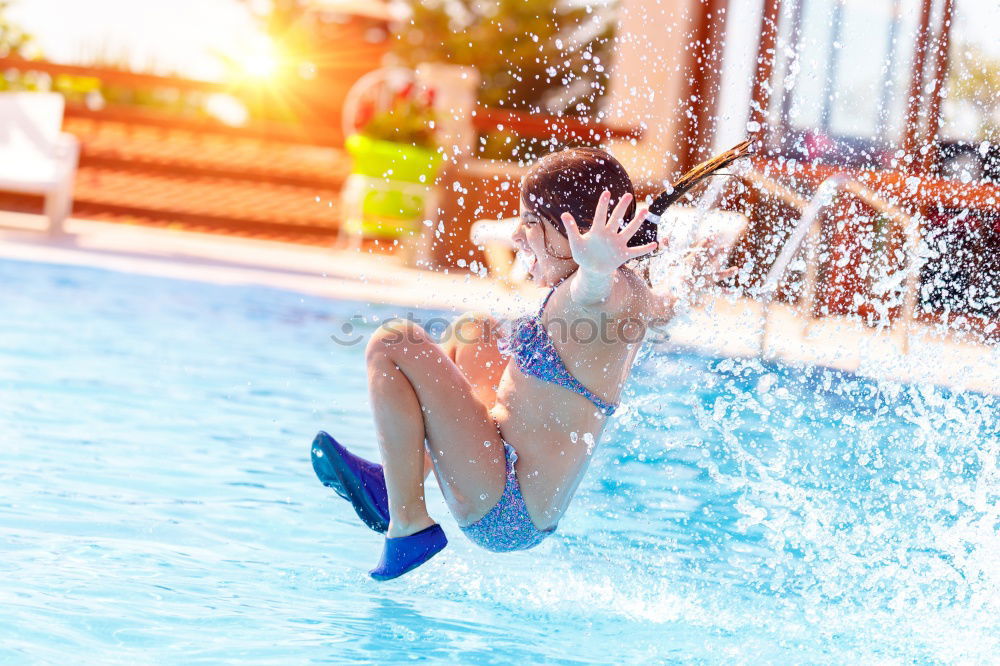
(508, 526)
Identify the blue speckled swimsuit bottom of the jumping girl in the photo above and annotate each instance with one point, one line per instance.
(507, 526)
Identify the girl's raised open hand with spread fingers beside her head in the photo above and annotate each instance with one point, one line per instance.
(604, 247)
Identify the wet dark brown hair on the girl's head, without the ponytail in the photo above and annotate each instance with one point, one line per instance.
(571, 181)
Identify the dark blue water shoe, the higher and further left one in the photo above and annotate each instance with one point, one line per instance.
(359, 481)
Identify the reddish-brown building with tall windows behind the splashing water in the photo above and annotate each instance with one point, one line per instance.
(860, 90)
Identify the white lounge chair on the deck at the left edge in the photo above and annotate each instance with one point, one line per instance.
(35, 155)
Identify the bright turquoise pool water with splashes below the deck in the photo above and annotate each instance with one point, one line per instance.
(158, 503)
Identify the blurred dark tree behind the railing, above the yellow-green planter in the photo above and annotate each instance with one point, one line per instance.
(539, 56)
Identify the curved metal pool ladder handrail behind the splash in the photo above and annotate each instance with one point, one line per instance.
(810, 211)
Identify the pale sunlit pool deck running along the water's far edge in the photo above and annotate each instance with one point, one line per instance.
(725, 325)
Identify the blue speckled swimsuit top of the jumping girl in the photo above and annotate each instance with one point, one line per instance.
(530, 345)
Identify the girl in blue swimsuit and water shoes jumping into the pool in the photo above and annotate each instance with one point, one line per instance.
(508, 424)
